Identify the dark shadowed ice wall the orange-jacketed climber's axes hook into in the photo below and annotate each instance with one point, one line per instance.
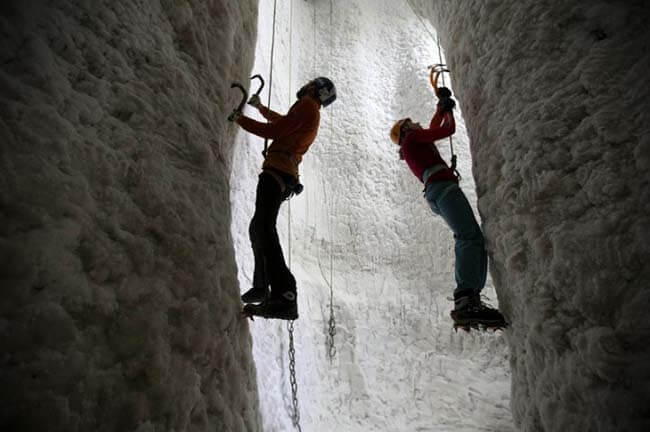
(119, 306)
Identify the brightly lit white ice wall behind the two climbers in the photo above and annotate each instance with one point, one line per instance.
(362, 226)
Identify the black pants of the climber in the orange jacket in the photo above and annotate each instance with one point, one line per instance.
(270, 268)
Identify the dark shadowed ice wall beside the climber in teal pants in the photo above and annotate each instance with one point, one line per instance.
(555, 98)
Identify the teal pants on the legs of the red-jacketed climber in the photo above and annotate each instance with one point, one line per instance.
(449, 201)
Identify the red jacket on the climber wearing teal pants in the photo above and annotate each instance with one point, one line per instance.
(419, 151)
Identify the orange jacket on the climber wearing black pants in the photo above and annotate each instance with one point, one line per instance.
(292, 134)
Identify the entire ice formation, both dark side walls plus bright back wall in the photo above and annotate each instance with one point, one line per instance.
(125, 197)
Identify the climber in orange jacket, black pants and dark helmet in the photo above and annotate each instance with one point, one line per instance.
(292, 134)
